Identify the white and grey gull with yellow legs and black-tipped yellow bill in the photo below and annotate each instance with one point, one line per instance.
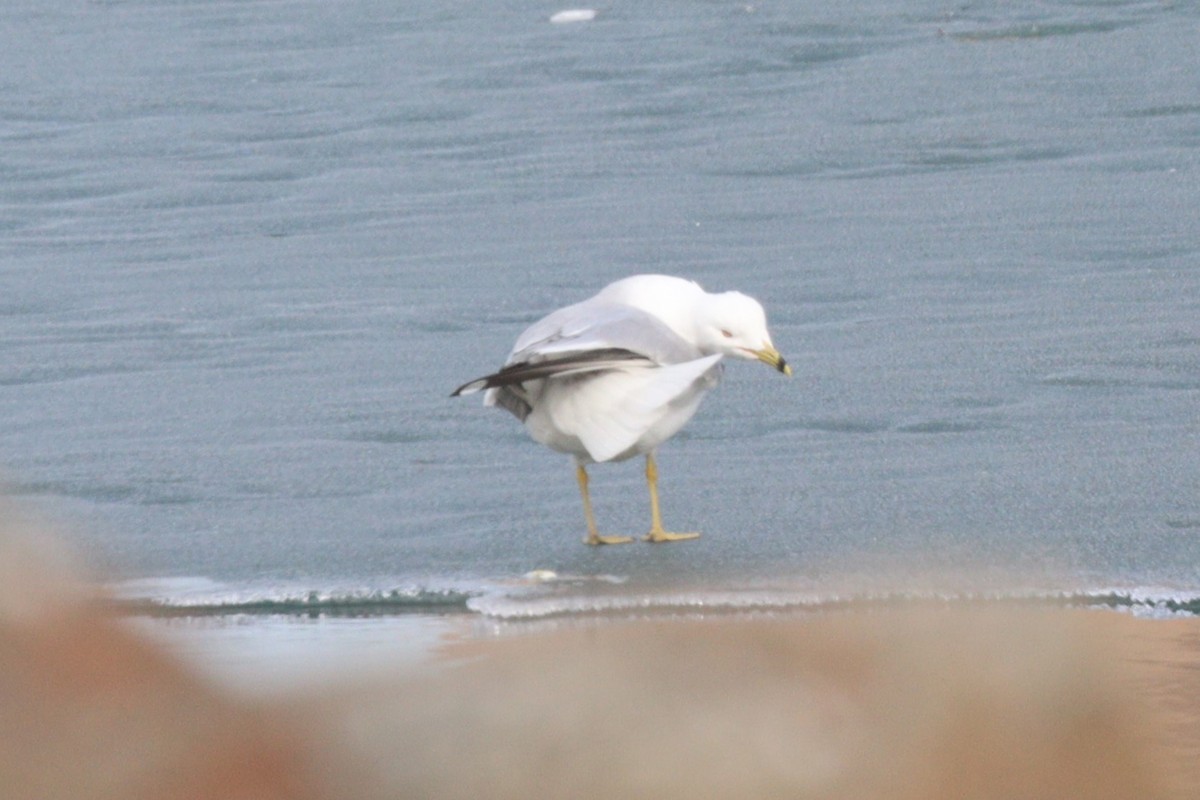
(619, 375)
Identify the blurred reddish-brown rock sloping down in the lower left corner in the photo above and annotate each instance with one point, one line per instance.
(89, 709)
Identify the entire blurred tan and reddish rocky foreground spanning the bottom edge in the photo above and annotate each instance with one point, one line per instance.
(904, 703)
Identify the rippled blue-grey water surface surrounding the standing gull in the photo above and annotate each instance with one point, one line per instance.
(248, 249)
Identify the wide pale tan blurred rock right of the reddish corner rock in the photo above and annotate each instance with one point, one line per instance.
(905, 705)
